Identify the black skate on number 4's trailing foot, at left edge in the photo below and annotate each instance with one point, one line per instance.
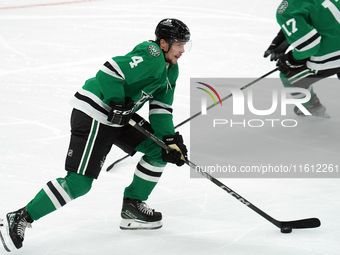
(12, 229)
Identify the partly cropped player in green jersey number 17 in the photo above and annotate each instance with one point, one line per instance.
(312, 29)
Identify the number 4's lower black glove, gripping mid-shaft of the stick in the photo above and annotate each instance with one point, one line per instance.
(179, 153)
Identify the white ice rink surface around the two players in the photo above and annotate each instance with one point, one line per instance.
(47, 52)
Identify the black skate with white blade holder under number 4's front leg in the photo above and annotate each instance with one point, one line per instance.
(138, 215)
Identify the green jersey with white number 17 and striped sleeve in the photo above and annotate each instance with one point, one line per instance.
(312, 27)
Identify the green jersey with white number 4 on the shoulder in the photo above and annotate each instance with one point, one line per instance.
(141, 74)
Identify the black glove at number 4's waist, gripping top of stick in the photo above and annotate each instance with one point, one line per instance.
(121, 113)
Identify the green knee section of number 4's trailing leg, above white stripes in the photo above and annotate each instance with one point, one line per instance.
(76, 185)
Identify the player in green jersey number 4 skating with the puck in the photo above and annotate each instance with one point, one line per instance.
(102, 110)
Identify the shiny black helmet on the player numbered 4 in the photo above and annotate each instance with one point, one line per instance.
(172, 30)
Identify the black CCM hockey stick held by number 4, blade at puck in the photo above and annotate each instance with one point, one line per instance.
(285, 226)
